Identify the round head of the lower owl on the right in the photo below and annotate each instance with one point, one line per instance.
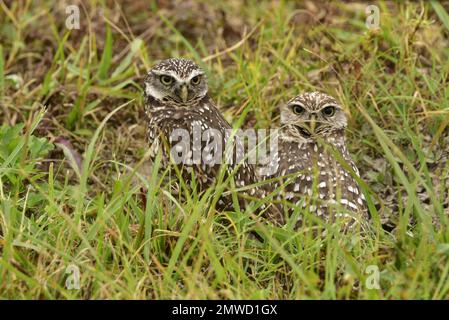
(312, 115)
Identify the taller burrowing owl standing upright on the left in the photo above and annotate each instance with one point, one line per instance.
(177, 102)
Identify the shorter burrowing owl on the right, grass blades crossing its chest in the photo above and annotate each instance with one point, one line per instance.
(312, 157)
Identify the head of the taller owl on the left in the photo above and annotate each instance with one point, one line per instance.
(177, 80)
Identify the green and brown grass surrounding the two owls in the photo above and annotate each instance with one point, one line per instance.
(74, 160)
